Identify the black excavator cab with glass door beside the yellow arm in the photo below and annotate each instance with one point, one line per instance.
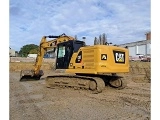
(65, 51)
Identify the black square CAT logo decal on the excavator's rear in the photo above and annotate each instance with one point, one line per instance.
(119, 57)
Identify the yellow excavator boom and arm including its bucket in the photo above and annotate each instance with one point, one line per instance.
(36, 73)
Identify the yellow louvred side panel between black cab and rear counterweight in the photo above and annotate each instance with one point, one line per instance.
(84, 61)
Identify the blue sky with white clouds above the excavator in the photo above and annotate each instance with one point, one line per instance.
(122, 21)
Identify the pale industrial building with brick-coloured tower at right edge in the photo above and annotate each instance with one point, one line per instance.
(139, 47)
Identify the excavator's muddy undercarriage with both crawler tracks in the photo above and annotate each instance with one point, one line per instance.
(94, 83)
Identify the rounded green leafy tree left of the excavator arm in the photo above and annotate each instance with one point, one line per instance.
(25, 50)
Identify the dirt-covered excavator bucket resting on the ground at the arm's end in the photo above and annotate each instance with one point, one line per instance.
(29, 75)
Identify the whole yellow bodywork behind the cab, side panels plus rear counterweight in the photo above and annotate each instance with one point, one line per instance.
(100, 59)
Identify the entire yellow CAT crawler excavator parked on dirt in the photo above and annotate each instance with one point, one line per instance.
(90, 67)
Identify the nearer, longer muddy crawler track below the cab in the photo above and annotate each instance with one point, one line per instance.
(77, 82)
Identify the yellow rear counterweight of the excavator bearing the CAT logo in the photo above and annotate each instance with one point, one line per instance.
(117, 60)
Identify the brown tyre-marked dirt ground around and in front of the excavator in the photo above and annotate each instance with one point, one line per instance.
(31, 100)
